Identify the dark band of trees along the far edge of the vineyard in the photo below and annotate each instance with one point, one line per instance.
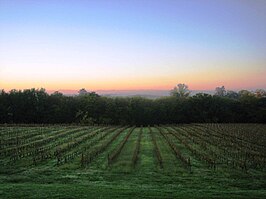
(36, 106)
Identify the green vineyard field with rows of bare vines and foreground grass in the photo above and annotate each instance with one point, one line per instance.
(181, 161)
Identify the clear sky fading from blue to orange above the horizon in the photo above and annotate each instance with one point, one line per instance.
(133, 44)
